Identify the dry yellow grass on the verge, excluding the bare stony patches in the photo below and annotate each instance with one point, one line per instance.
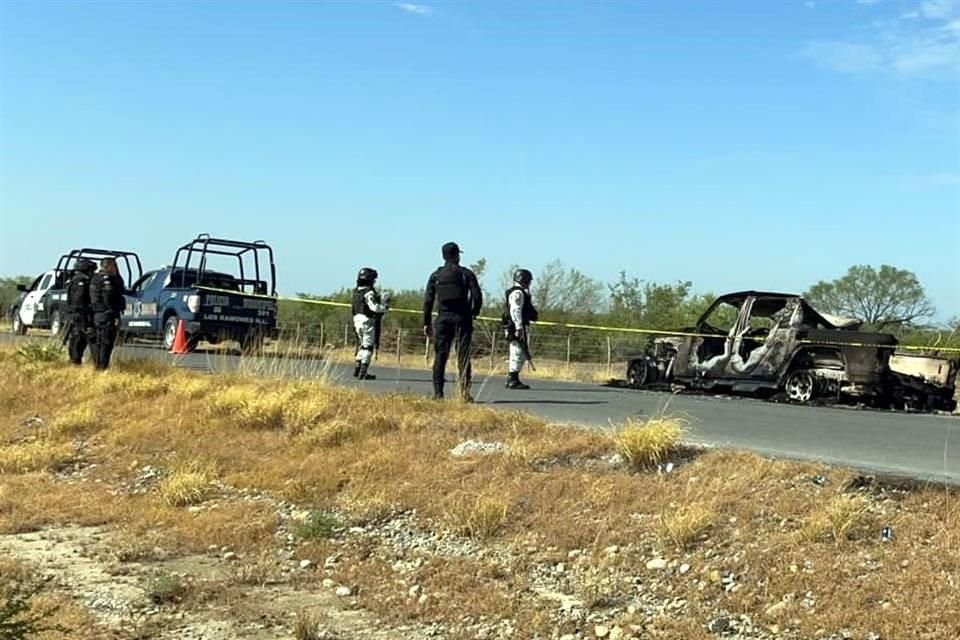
(369, 457)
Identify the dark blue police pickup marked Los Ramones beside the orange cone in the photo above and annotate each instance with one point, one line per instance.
(235, 303)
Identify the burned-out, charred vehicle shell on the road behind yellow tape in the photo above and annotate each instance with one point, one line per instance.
(776, 344)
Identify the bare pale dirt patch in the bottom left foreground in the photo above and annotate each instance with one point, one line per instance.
(121, 594)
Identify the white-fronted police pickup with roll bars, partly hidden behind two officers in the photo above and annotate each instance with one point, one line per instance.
(42, 304)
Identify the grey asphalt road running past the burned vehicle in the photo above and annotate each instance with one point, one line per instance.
(919, 446)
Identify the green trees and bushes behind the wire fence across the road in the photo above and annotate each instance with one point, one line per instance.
(885, 298)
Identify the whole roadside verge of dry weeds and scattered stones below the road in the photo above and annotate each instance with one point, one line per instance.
(325, 489)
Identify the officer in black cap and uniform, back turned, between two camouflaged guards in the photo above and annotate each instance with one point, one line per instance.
(459, 300)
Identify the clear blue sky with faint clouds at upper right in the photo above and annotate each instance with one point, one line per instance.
(734, 144)
